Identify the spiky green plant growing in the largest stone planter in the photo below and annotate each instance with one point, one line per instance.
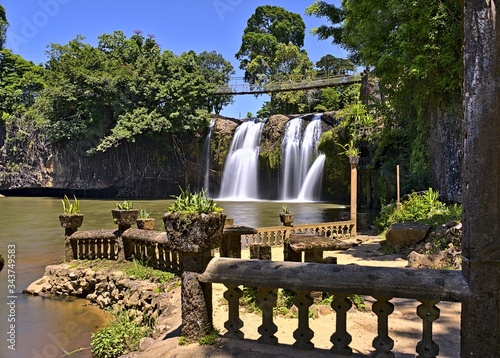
(193, 203)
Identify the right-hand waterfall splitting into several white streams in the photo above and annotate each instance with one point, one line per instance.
(299, 152)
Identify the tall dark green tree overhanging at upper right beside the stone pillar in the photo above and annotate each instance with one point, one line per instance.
(414, 49)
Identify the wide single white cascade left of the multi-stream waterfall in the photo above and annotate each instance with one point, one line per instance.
(239, 178)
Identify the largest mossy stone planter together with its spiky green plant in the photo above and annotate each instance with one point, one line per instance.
(194, 223)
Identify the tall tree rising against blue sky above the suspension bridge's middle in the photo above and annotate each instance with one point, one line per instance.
(268, 27)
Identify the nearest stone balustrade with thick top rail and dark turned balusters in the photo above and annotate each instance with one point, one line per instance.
(427, 286)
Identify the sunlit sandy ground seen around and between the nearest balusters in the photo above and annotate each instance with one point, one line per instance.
(404, 324)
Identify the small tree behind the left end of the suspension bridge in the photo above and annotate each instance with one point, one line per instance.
(216, 71)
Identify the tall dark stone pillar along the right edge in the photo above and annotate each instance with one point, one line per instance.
(480, 329)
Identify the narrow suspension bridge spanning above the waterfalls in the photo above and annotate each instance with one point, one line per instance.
(237, 86)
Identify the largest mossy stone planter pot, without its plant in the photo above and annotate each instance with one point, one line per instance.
(194, 232)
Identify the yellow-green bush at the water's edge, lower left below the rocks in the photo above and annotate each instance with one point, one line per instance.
(120, 337)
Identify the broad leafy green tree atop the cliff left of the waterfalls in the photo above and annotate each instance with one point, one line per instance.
(122, 89)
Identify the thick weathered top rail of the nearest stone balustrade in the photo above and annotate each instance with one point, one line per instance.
(420, 284)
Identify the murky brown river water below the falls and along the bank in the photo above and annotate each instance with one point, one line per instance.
(29, 228)
